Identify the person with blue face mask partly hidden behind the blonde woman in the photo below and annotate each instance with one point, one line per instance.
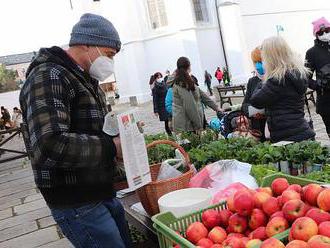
(258, 121)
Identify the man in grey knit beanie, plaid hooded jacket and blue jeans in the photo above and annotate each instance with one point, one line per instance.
(63, 114)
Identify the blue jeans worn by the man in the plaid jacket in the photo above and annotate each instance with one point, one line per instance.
(98, 225)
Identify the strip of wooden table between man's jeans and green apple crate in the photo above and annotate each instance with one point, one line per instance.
(141, 222)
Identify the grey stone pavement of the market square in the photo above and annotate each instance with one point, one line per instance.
(25, 219)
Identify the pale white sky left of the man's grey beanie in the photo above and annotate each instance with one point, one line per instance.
(27, 25)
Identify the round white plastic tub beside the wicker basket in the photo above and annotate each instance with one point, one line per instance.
(185, 201)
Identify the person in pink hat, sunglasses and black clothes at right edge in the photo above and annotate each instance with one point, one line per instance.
(318, 61)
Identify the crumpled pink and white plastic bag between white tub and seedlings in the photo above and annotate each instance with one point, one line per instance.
(222, 176)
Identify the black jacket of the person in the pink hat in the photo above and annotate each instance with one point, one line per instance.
(317, 58)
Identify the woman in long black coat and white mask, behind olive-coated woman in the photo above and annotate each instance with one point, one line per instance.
(159, 92)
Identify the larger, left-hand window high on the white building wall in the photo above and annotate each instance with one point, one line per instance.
(157, 13)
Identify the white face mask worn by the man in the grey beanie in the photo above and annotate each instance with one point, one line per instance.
(102, 67)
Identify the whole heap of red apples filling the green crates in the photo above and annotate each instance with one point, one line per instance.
(254, 217)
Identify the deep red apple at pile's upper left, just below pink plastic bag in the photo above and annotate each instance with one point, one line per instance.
(244, 203)
